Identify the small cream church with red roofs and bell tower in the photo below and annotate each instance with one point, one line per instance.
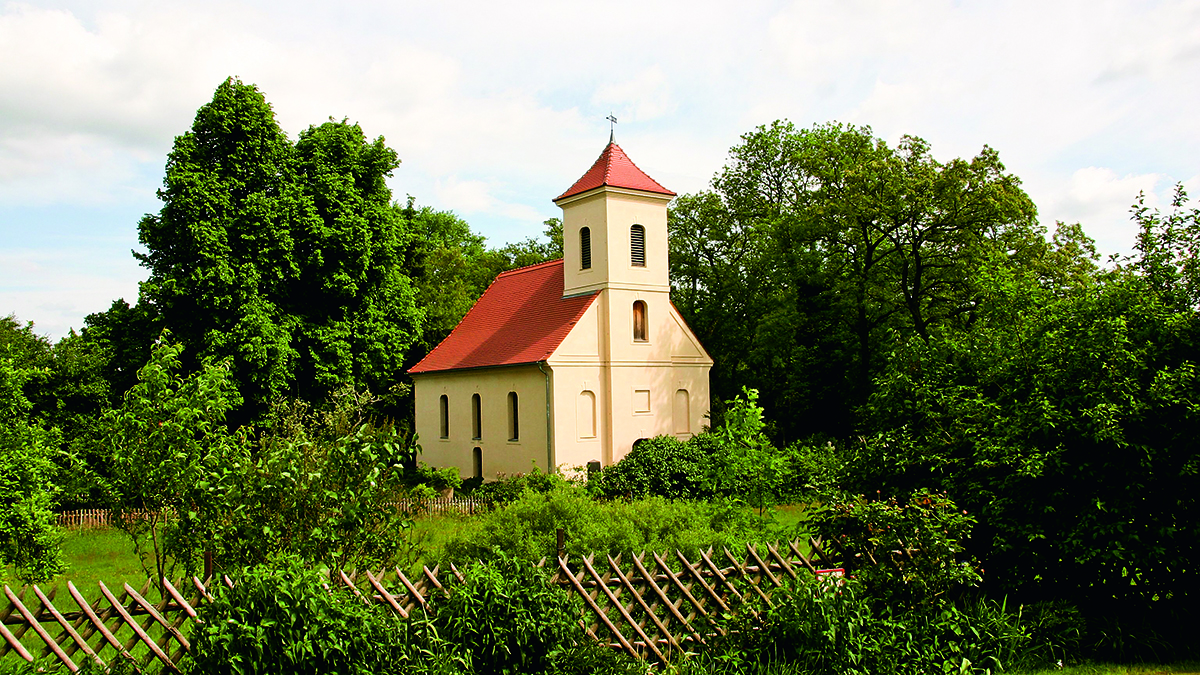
(571, 362)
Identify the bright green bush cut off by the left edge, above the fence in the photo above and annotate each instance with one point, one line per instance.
(28, 537)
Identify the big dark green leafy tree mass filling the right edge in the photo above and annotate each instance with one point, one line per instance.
(1067, 420)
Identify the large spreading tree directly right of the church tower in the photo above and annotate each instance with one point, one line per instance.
(815, 246)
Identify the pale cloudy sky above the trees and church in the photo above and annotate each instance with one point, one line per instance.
(495, 109)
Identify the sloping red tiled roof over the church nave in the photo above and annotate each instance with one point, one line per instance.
(521, 319)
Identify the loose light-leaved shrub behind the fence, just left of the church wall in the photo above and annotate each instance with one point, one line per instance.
(322, 486)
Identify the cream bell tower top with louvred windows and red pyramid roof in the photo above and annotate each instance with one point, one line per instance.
(615, 229)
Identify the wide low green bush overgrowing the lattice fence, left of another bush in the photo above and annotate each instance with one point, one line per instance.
(280, 618)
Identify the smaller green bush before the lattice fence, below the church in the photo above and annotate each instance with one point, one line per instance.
(508, 618)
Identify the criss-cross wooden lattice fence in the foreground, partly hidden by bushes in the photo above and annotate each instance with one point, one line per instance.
(647, 606)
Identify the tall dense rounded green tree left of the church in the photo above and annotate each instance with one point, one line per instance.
(283, 258)
